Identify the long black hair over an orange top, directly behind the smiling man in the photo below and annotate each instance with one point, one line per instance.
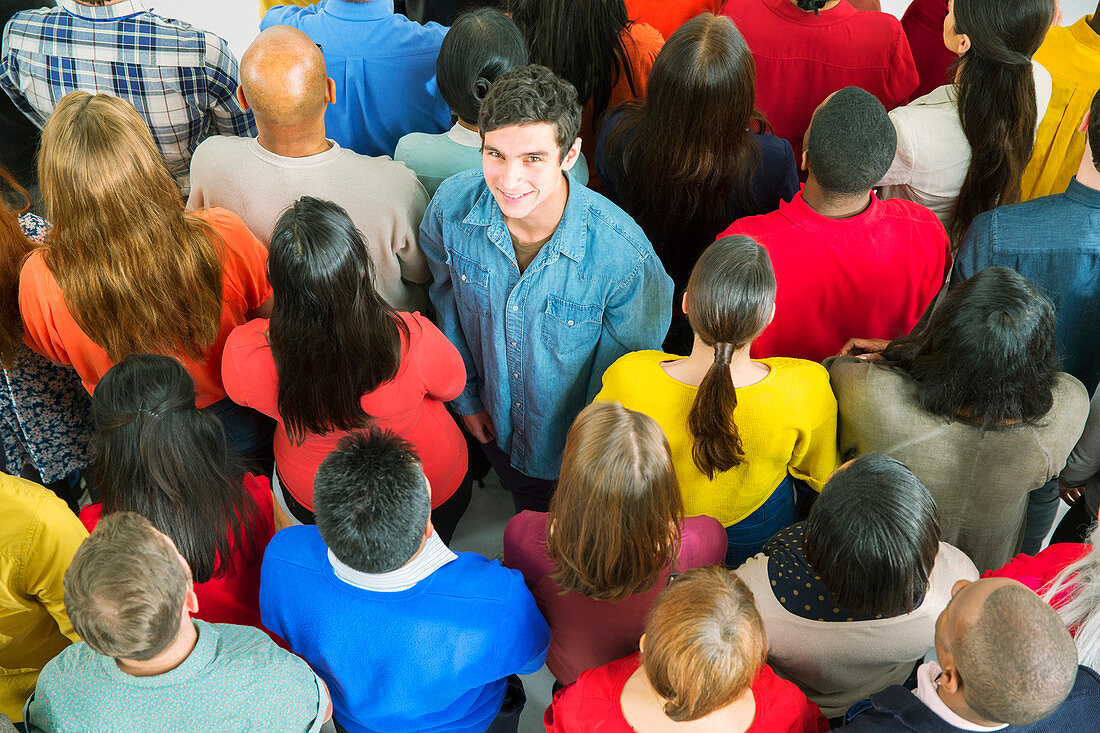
(581, 41)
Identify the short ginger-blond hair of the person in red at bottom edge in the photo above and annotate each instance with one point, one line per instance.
(705, 643)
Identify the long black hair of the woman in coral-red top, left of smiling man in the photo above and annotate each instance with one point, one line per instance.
(333, 337)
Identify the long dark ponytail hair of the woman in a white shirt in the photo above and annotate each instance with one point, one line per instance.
(997, 101)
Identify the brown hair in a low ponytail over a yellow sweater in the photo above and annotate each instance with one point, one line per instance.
(730, 300)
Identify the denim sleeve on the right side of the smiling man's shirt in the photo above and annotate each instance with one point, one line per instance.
(636, 319)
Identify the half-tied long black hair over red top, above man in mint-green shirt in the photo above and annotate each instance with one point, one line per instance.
(158, 455)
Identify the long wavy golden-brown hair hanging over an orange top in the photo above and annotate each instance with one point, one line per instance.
(138, 273)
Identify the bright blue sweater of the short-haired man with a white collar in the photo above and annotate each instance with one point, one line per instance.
(430, 659)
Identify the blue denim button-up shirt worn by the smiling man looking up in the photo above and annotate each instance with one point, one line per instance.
(536, 345)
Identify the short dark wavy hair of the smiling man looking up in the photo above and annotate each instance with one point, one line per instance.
(530, 95)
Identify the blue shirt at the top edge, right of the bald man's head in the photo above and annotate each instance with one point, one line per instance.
(384, 67)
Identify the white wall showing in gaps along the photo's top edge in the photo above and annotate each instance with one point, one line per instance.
(238, 20)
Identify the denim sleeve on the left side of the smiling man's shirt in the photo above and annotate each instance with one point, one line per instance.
(443, 297)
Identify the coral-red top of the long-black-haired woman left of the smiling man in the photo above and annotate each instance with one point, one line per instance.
(412, 406)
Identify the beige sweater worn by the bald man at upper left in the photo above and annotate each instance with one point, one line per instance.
(383, 199)
